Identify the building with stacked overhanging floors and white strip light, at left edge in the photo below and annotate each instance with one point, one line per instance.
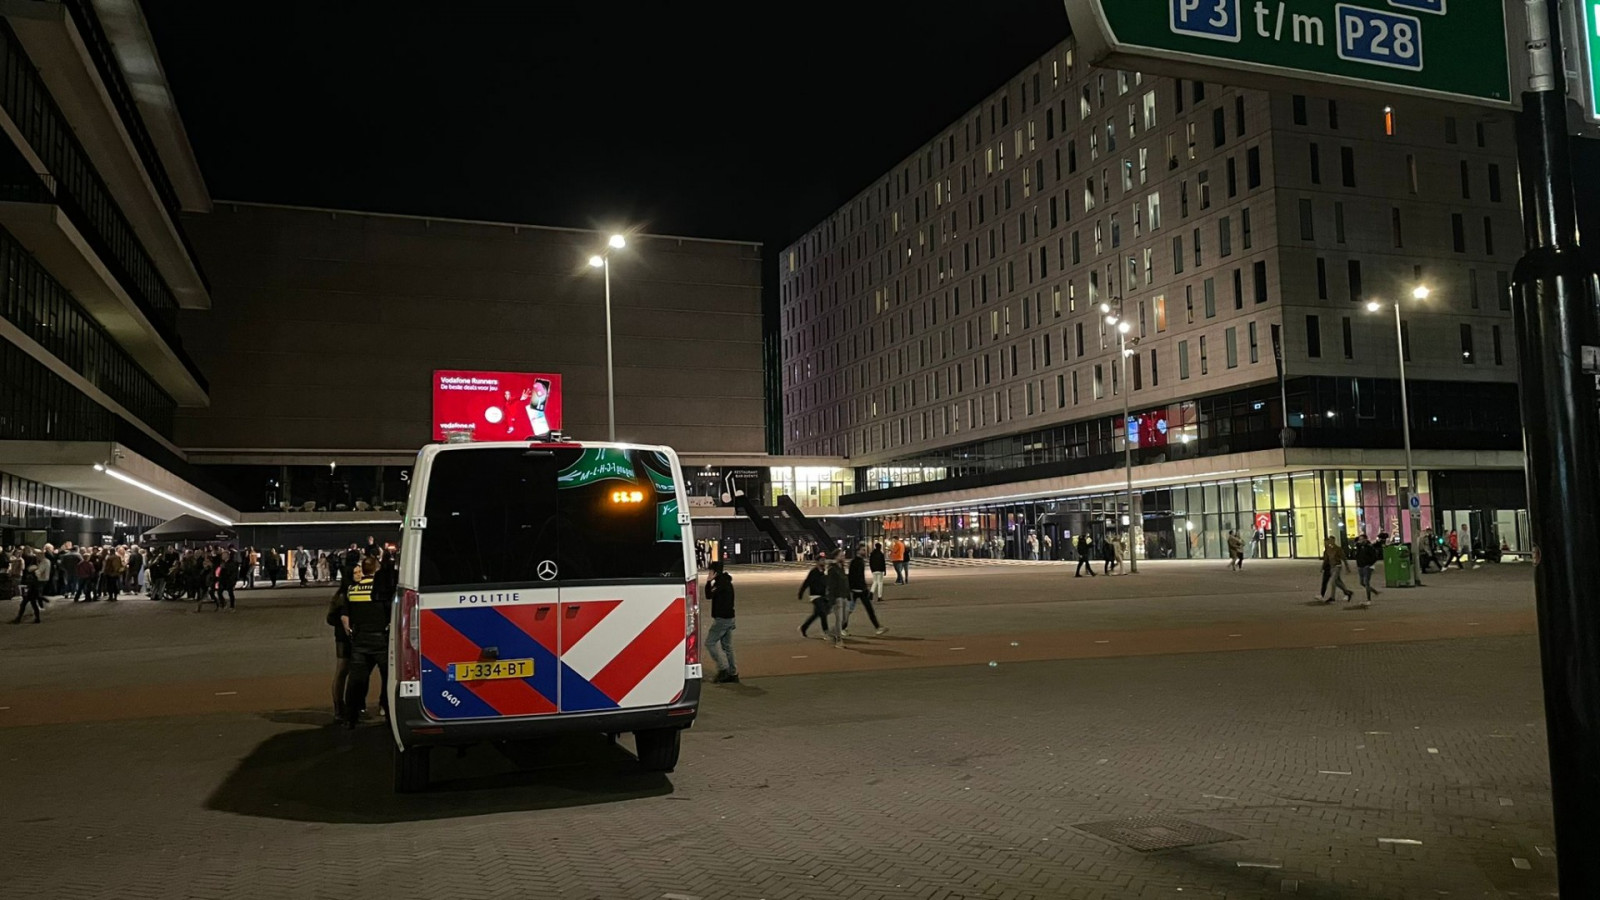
(95, 174)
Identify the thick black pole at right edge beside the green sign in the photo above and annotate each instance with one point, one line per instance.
(1556, 319)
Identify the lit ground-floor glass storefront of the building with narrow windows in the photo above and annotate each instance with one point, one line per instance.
(1281, 516)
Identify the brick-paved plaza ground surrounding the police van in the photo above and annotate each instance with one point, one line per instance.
(1018, 734)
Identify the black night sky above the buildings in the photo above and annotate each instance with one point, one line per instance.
(705, 119)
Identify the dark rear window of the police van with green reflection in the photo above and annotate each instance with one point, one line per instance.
(599, 515)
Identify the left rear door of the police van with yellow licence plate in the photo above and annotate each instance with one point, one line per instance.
(487, 574)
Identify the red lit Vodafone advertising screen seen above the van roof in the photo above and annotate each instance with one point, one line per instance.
(497, 406)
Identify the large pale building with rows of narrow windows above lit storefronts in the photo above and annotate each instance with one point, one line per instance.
(946, 329)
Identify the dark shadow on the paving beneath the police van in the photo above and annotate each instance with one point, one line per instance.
(327, 774)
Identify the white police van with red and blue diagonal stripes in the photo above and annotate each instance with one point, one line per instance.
(545, 589)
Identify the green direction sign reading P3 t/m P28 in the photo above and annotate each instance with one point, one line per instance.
(1441, 49)
